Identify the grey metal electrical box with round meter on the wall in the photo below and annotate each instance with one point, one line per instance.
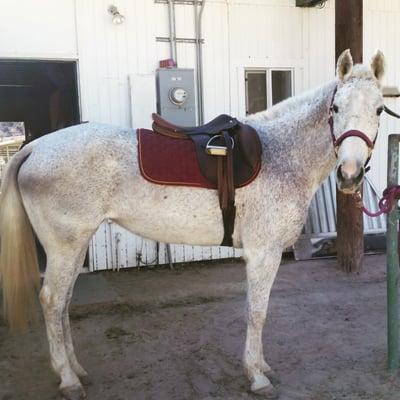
(176, 100)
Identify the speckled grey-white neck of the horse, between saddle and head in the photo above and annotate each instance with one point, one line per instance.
(296, 138)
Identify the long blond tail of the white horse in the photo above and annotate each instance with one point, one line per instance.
(19, 270)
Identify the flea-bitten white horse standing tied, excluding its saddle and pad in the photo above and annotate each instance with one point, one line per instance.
(65, 184)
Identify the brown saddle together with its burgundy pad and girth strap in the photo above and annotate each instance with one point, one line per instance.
(227, 152)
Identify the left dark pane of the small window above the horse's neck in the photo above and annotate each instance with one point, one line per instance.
(256, 91)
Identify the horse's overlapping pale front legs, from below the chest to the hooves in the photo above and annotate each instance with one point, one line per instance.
(261, 268)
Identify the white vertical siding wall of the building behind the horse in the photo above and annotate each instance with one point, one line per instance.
(117, 66)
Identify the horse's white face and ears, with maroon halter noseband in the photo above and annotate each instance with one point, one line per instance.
(355, 111)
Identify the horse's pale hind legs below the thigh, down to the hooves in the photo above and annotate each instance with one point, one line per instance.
(63, 265)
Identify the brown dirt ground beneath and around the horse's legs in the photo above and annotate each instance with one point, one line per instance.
(174, 335)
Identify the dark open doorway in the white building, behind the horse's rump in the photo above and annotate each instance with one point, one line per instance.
(43, 96)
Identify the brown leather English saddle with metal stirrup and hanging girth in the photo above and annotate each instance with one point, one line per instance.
(229, 157)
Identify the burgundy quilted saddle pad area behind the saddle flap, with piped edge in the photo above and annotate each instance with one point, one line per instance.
(169, 161)
